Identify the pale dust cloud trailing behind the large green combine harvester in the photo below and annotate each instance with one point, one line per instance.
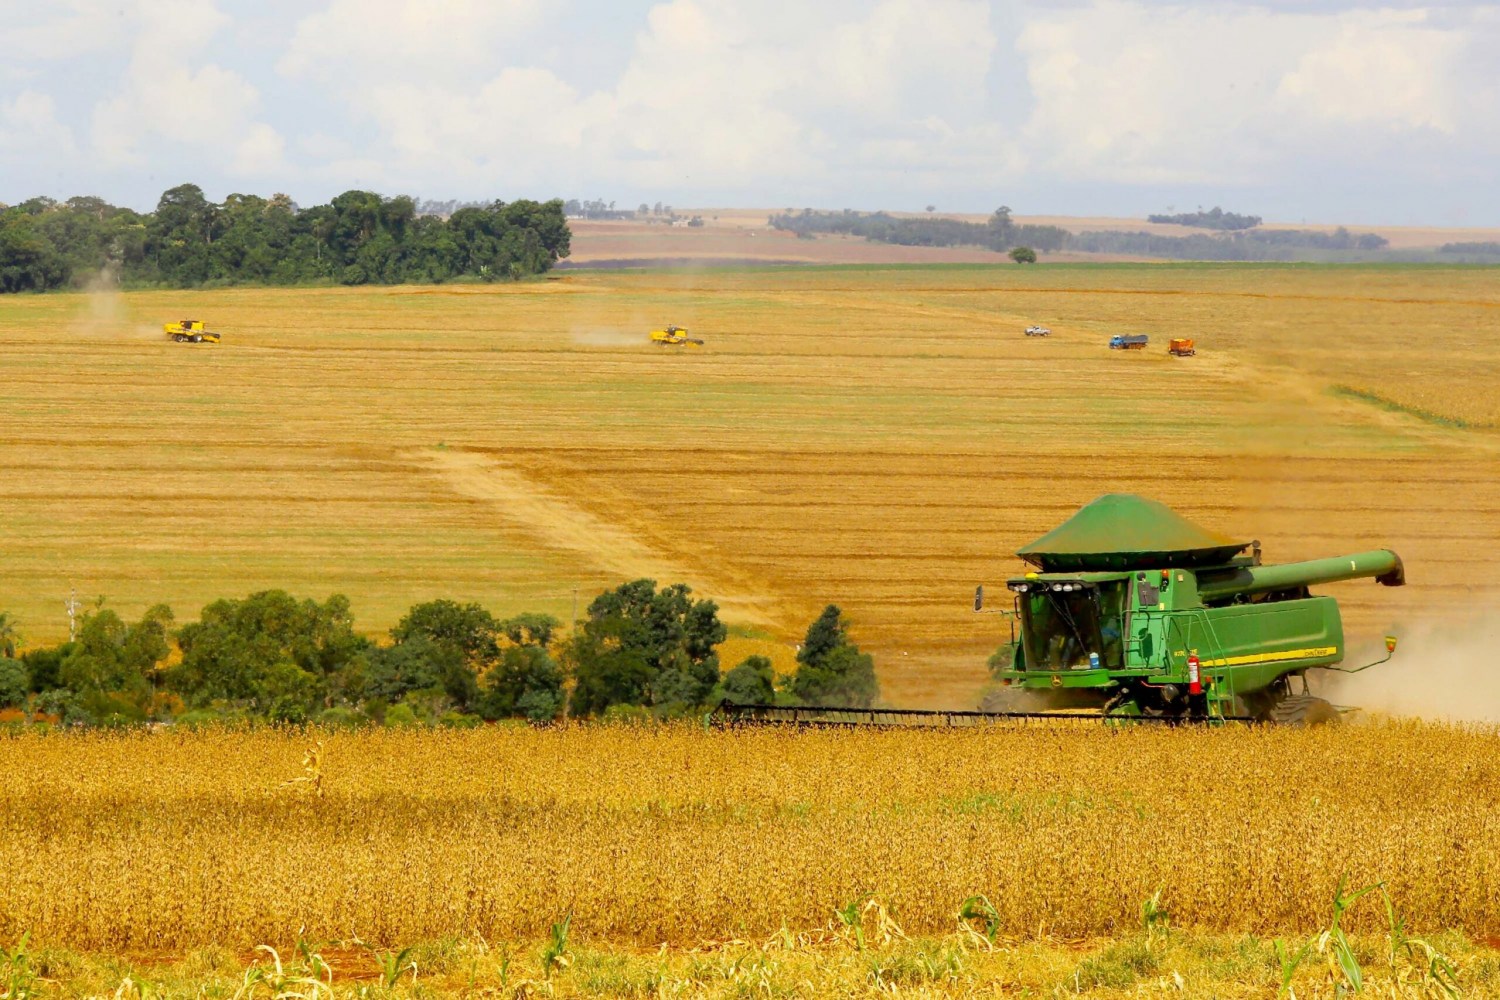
(1442, 671)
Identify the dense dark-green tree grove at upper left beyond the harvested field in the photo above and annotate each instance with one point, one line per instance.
(190, 242)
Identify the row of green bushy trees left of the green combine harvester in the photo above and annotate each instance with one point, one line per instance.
(640, 653)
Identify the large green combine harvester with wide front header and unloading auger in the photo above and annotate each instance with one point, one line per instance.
(1133, 612)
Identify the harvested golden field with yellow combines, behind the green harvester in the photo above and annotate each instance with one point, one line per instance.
(881, 439)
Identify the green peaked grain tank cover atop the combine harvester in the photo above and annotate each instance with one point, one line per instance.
(1123, 531)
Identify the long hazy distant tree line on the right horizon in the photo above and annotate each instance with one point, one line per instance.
(1004, 236)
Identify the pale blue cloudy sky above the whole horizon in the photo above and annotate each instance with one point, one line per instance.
(1318, 112)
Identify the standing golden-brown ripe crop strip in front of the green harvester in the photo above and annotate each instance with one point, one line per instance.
(170, 842)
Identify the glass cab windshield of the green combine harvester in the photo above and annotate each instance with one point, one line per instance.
(1061, 627)
